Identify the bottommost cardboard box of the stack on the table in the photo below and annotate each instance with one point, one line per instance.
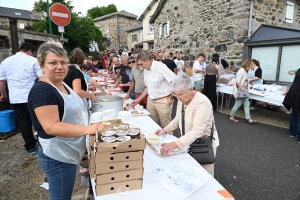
(112, 188)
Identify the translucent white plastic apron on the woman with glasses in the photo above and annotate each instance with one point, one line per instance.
(67, 150)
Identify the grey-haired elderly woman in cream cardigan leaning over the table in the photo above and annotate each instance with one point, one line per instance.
(198, 117)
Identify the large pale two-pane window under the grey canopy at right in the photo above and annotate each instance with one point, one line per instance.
(270, 57)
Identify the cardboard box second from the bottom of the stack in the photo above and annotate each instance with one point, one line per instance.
(119, 176)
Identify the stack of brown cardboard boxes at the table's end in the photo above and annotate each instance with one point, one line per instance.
(116, 164)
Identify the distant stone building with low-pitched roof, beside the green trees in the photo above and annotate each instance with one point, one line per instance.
(114, 27)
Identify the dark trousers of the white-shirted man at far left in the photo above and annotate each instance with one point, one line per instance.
(25, 125)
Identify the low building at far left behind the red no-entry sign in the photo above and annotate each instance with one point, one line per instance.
(24, 18)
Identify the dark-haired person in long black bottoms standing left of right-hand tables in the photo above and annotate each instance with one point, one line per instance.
(212, 78)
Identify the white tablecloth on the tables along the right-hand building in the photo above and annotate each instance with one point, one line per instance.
(271, 97)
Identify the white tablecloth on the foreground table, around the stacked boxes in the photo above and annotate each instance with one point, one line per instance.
(151, 187)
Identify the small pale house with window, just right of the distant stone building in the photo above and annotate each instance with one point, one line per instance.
(135, 37)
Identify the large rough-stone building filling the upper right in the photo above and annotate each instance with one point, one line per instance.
(223, 27)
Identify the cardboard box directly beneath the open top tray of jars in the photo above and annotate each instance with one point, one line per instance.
(118, 157)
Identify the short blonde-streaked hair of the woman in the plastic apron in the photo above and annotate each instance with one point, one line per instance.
(50, 46)
